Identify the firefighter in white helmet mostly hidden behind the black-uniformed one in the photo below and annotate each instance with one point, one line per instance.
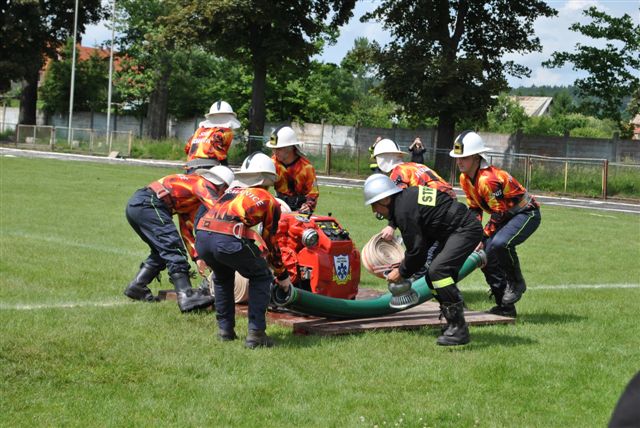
(389, 159)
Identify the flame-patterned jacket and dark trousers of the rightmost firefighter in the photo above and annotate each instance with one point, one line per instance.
(514, 216)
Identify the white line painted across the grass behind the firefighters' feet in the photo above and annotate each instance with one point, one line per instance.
(70, 305)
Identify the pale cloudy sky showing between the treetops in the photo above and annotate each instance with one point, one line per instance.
(553, 32)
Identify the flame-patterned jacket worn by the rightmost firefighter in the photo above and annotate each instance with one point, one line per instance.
(498, 193)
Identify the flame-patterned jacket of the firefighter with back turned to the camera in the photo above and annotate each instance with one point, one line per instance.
(251, 206)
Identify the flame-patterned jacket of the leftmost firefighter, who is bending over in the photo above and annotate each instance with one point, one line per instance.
(184, 195)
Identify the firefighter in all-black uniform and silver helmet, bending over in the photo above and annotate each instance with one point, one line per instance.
(423, 215)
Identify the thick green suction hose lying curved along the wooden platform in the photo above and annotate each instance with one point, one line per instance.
(331, 307)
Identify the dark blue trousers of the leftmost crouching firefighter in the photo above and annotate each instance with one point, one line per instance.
(152, 221)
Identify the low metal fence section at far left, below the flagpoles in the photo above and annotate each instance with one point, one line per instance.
(90, 141)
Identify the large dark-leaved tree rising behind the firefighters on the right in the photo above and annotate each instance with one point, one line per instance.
(445, 57)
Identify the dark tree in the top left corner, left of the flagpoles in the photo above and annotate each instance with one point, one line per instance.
(33, 30)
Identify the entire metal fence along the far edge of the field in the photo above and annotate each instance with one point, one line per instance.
(563, 176)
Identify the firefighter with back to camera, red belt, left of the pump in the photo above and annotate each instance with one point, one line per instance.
(228, 245)
